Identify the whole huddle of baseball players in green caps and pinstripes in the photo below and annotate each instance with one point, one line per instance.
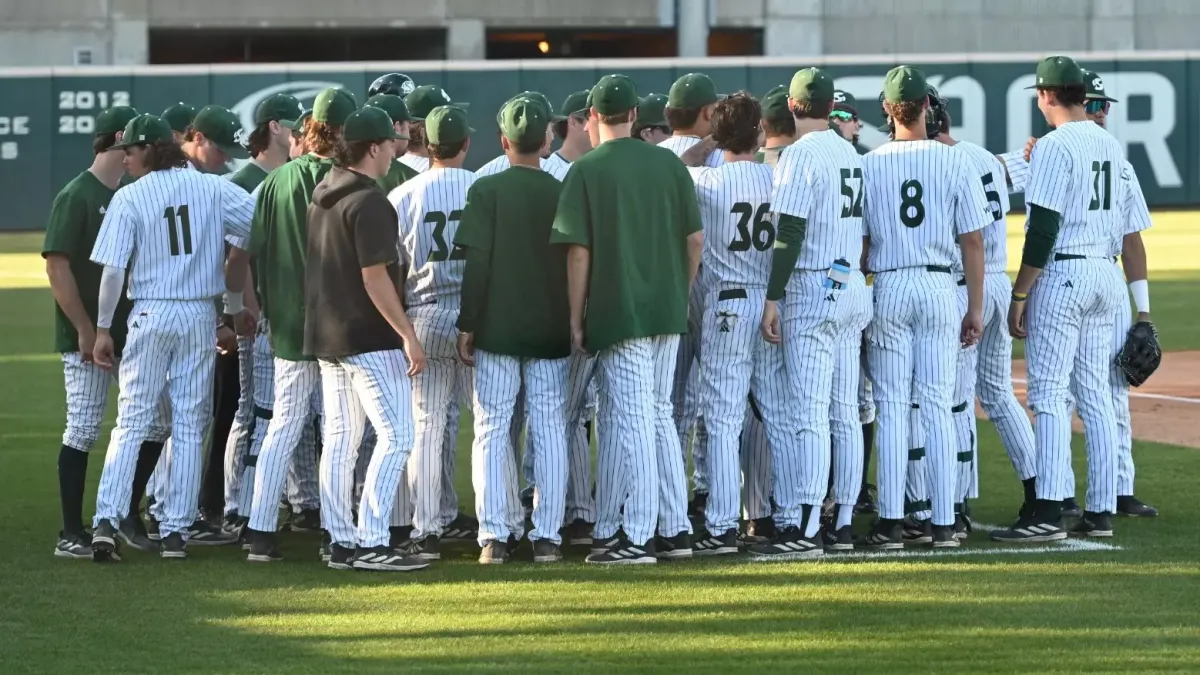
(687, 271)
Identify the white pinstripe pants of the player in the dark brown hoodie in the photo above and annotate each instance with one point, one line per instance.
(374, 386)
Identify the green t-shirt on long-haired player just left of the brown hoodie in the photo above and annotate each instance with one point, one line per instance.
(279, 242)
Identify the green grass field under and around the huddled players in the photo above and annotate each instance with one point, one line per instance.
(1130, 607)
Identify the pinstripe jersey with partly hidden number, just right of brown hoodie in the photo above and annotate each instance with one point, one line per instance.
(430, 207)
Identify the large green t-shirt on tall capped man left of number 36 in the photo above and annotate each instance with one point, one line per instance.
(633, 206)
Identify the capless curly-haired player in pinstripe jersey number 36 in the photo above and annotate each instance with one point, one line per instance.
(735, 206)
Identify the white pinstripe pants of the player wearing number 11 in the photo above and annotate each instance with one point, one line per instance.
(170, 342)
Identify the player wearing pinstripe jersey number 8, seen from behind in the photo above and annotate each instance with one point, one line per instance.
(920, 195)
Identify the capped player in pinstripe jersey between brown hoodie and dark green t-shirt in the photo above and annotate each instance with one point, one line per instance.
(430, 208)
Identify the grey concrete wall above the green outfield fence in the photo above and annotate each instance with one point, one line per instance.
(49, 32)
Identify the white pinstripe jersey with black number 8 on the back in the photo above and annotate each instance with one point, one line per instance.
(920, 195)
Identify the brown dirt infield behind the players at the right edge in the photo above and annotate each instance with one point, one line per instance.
(1165, 409)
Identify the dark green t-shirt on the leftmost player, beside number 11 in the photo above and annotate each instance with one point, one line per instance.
(76, 217)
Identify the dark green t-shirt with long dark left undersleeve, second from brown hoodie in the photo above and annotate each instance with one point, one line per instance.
(514, 285)
